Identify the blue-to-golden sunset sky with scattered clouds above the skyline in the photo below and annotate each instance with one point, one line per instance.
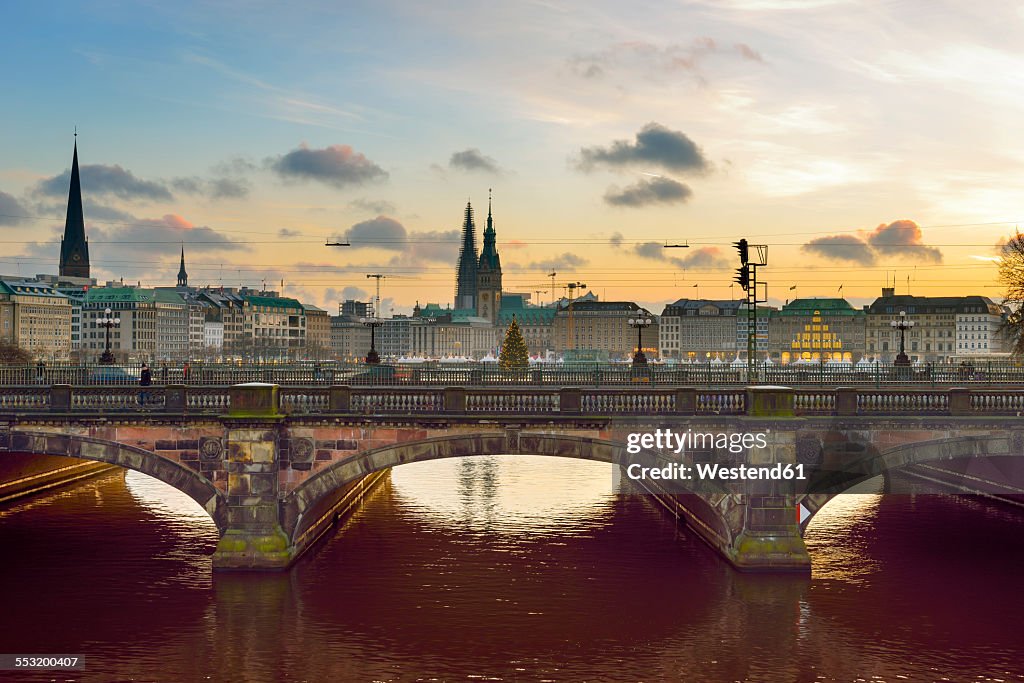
(862, 142)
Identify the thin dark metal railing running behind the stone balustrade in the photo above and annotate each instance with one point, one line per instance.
(548, 375)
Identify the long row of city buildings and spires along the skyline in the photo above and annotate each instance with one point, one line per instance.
(62, 318)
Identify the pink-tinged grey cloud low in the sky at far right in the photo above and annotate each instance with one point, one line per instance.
(901, 238)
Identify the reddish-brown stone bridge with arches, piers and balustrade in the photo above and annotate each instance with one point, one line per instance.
(275, 469)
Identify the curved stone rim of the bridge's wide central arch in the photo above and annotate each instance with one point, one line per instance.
(304, 506)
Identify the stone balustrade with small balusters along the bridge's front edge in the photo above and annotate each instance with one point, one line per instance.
(528, 401)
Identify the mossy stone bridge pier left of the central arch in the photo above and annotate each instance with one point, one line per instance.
(254, 539)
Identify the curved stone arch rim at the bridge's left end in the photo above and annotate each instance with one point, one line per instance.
(170, 473)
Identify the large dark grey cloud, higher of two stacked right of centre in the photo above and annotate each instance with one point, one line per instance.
(655, 146)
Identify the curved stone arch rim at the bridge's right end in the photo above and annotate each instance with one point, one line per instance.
(877, 462)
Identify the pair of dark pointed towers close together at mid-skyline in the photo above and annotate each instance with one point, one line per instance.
(479, 284)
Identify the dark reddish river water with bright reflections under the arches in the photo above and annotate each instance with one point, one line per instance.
(513, 569)
